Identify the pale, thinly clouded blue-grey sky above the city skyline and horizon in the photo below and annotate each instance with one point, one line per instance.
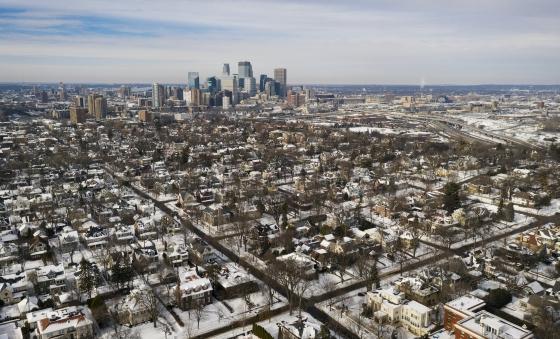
(318, 41)
